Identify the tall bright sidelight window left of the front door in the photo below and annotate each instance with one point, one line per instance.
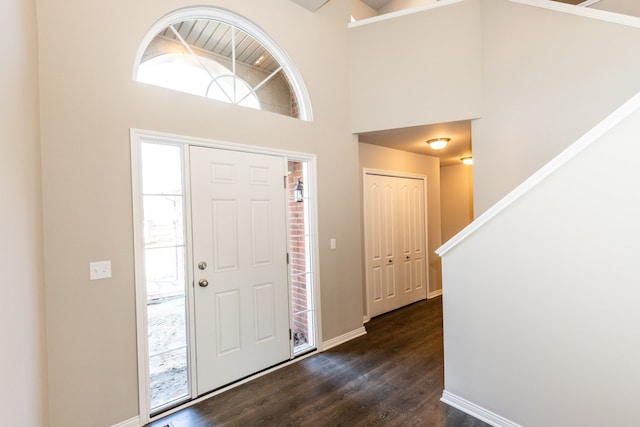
(165, 274)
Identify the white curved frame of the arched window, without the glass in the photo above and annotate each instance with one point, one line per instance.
(230, 18)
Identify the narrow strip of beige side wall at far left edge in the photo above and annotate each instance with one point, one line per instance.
(23, 373)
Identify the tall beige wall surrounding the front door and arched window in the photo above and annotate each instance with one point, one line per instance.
(89, 103)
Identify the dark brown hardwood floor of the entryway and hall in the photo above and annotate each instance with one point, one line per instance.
(392, 376)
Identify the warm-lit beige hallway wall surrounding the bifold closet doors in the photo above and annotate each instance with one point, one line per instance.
(381, 158)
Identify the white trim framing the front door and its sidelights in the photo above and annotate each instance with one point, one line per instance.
(137, 137)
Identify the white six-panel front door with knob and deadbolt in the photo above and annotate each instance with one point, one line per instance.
(240, 268)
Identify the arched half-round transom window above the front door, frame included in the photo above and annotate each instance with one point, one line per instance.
(217, 54)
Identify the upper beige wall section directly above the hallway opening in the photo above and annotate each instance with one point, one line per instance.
(413, 70)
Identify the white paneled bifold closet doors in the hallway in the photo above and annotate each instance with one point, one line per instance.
(395, 242)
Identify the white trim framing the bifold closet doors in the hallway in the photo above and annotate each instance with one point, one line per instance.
(423, 178)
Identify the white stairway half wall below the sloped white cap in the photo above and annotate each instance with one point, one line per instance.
(541, 303)
